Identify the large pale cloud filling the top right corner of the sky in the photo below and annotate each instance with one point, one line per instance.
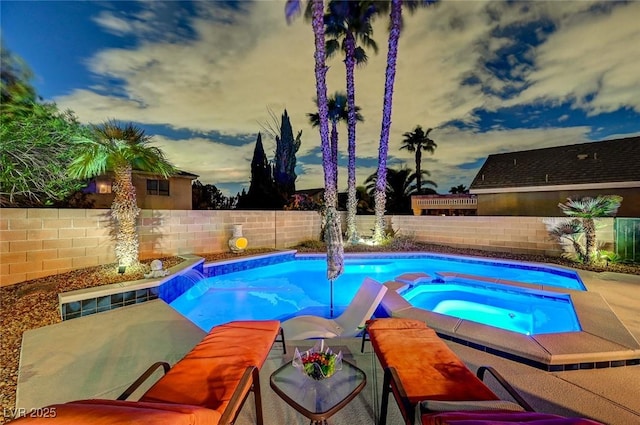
(589, 61)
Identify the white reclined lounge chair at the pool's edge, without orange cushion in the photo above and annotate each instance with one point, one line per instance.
(349, 324)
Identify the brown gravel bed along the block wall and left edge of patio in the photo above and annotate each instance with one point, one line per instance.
(33, 304)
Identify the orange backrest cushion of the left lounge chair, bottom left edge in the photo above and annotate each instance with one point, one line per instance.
(113, 412)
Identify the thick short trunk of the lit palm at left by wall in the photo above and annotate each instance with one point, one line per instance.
(125, 211)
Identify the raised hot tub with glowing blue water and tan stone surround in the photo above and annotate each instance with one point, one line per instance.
(544, 326)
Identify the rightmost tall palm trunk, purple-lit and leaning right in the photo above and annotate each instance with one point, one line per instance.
(392, 54)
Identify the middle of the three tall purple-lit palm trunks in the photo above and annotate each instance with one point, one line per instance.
(352, 202)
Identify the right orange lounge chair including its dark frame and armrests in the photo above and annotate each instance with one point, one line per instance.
(420, 369)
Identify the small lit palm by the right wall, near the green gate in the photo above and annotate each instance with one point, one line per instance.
(587, 209)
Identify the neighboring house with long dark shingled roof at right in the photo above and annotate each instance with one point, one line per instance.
(534, 182)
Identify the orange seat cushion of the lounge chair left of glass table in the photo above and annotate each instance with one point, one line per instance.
(208, 375)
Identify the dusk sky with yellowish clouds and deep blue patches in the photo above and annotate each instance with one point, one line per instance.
(201, 77)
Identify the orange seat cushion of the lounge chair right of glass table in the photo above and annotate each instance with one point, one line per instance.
(426, 366)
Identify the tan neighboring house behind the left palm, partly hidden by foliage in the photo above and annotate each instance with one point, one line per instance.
(152, 191)
